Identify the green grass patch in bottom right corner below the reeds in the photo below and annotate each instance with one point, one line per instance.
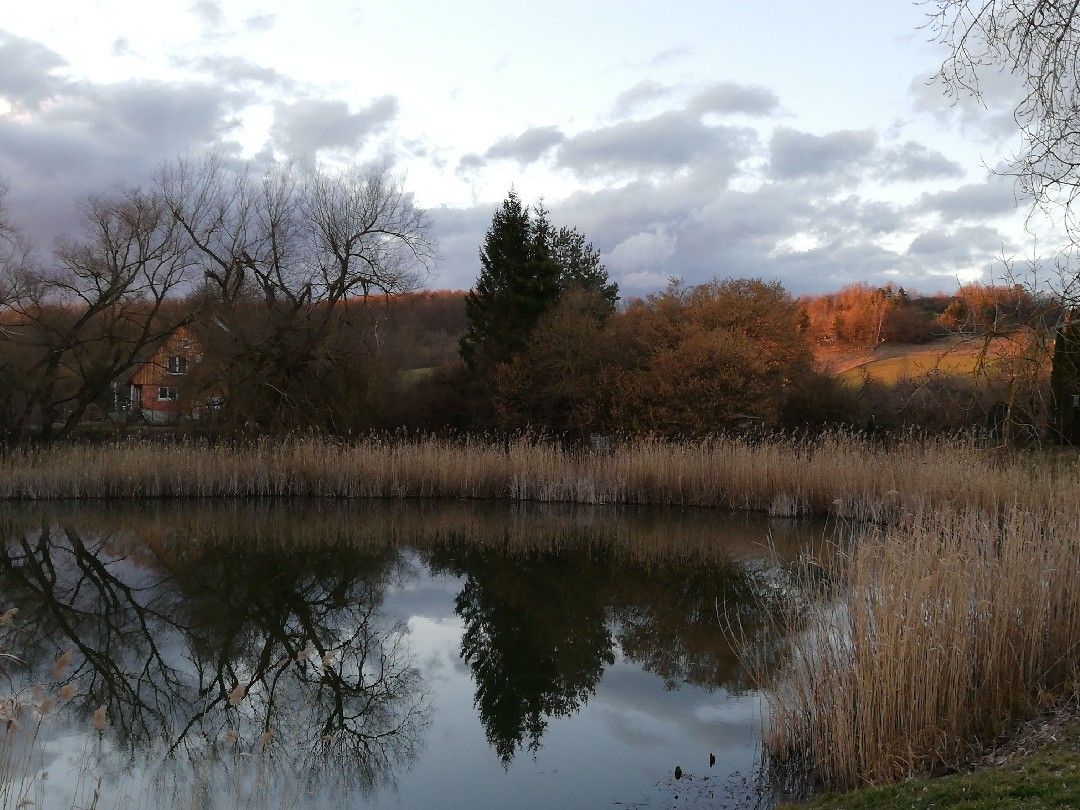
(1047, 779)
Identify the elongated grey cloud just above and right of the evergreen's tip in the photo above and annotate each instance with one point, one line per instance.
(666, 143)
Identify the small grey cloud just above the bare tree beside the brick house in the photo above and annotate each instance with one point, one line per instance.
(304, 128)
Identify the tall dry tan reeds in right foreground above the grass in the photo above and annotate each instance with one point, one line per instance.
(938, 634)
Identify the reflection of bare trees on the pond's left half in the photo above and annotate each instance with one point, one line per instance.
(224, 649)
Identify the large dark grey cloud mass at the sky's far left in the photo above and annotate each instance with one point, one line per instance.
(92, 138)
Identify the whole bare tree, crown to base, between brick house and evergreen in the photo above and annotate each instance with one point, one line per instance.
(295, 249)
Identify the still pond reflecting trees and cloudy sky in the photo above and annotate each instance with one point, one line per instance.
(384, 655)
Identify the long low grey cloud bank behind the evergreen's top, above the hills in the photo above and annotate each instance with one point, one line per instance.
(685, 225)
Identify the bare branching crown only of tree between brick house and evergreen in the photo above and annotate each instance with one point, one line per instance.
(300, 239)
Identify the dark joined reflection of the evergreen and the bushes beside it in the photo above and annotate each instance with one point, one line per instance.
(541, 629)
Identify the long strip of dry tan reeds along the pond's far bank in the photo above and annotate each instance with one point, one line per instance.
(836, 475)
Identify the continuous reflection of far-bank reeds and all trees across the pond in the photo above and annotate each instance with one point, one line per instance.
(173, 607)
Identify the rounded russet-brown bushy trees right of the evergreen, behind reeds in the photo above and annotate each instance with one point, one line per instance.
(690, 360)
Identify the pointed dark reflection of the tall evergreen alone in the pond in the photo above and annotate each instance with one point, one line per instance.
(536, 639)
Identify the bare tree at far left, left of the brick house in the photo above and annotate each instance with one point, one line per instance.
(82, 326)
